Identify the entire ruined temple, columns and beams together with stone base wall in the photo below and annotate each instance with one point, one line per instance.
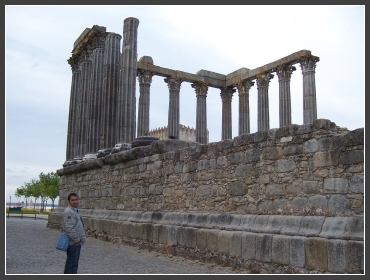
(282, 200)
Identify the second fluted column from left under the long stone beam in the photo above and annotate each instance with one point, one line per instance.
(174, 85)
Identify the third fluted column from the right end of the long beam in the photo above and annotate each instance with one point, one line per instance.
(263, 81)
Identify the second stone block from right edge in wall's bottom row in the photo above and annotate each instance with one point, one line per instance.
(336, 256)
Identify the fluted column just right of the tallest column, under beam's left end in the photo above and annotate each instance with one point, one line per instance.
(145, 79)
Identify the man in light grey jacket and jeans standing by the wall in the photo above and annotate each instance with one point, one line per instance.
(73, 226)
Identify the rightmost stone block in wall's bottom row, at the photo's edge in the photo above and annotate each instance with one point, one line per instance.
(354, 253)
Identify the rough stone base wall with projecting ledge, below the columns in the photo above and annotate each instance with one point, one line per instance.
(286, 200)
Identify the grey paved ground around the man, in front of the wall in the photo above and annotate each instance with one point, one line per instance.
(30, 250)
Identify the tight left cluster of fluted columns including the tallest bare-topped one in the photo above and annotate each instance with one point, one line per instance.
(102, 101)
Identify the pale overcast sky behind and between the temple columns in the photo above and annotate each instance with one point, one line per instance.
(222, 39)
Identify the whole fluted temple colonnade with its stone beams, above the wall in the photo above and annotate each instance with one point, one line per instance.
(102, 109)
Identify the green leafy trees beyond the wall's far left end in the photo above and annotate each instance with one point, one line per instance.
(45, 187)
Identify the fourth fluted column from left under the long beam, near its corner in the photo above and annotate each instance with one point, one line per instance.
(226, 96)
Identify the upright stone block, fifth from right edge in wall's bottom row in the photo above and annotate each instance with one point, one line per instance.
(280, 249)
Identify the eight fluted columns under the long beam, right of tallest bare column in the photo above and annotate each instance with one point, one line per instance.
(283, 72)
